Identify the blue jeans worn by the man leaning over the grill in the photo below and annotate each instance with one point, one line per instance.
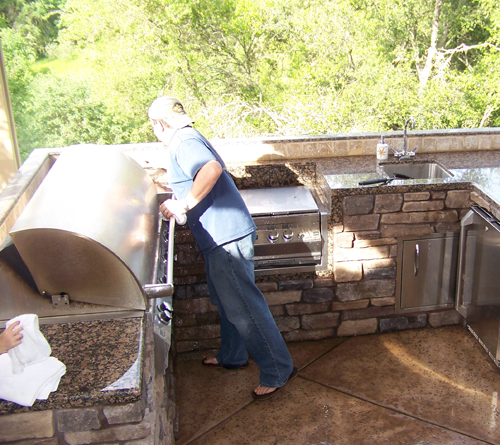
(246, 322)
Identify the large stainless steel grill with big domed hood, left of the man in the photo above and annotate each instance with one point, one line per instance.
(89, 244)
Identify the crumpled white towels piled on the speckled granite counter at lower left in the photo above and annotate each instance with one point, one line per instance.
(27, 372)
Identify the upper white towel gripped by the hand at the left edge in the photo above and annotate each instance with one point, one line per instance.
(33, 348)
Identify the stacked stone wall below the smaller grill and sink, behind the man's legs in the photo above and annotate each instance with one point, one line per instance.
(357, 297)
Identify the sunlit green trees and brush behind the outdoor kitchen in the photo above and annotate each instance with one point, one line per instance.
(250, 67)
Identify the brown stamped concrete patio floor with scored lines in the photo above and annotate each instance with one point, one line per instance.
(425, 386)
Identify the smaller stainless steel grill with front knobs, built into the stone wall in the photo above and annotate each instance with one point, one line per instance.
(291, 230)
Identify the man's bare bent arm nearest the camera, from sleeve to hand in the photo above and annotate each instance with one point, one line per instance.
(203, 183)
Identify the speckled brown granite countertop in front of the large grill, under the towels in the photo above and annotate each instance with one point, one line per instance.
(103, 362)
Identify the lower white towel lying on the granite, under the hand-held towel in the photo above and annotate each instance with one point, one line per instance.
(36, 382)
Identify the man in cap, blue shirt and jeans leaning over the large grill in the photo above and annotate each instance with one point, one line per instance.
(225, 232)
